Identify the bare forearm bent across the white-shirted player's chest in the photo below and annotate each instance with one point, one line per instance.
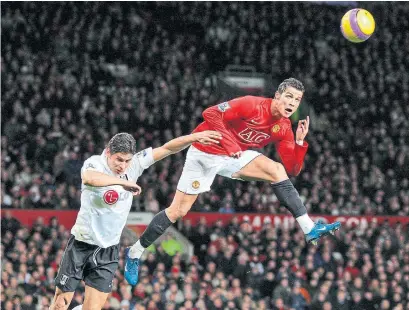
(99, 179)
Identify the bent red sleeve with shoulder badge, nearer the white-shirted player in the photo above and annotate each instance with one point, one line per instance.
(217, 116)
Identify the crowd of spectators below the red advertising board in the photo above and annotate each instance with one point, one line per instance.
(235, 267)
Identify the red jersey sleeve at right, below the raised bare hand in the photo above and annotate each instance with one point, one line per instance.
(291, 154)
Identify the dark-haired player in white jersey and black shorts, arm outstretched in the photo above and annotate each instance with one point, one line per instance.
(108, 186)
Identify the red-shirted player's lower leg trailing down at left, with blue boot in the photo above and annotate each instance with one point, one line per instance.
(180, 206)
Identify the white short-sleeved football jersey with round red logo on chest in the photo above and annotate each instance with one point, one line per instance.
(104, 210)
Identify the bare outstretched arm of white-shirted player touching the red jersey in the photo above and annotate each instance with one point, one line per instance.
(178, 144)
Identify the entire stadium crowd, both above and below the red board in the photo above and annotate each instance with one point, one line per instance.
(74, 74)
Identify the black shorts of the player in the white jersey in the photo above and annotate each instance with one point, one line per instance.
(91, 263)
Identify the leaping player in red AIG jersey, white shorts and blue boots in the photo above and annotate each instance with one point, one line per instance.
(245, 122)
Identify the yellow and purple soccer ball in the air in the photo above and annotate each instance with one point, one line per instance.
(357, 25)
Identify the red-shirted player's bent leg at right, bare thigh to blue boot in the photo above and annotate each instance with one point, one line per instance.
(262, 168)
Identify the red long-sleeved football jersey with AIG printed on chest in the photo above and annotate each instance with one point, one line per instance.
(247, 122)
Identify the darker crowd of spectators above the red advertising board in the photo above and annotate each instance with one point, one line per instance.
(61, 104)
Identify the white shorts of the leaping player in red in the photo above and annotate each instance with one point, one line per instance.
(201, 168)
